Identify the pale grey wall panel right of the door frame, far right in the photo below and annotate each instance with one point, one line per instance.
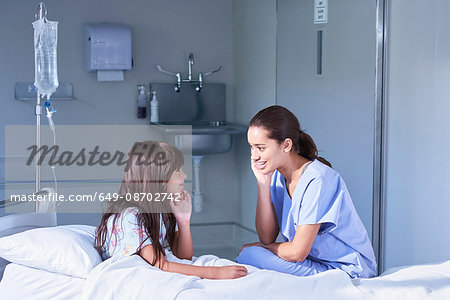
(418, 139)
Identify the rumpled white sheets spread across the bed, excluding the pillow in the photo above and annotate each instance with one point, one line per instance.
(133, 278)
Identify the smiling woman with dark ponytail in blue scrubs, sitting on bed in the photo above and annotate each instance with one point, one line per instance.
(300, 195)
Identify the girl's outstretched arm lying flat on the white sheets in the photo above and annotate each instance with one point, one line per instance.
(226, 272)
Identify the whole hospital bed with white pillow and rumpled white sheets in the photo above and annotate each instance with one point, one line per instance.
(59, 262)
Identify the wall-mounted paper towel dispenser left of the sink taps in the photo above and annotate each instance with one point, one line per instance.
(107, 50)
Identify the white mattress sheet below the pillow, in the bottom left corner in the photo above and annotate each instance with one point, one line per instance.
(21, 282)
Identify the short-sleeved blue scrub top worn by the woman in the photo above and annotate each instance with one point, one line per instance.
(322, 197)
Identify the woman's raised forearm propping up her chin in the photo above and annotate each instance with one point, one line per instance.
(266, 220)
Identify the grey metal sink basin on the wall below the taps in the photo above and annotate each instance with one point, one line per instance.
(202, 137)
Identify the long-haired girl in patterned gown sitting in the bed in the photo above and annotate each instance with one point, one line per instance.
(152, 214)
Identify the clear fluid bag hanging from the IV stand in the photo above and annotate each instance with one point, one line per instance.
(45, 65)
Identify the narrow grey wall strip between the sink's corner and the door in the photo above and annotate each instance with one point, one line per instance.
(254, 69)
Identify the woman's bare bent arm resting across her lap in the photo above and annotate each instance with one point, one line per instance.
(298, 249)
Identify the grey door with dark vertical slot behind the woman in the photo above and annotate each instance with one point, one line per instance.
(336, 109)
